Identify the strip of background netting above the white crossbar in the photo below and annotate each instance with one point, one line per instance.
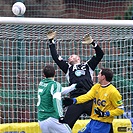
(111, 9)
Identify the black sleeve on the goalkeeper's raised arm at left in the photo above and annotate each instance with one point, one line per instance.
(63, 65)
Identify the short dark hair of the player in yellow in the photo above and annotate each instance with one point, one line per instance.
(108, 74)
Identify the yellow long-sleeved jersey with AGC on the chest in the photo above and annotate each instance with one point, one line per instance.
(106, 98)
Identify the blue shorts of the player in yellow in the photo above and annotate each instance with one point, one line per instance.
(96, 127)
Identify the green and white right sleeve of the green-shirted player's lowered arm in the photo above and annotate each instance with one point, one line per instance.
(57, 102)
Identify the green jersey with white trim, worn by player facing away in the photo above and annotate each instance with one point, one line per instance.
(49, 99)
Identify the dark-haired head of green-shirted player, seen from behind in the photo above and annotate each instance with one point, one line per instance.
(49, 71)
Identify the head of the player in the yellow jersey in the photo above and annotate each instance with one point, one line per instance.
(105, 75)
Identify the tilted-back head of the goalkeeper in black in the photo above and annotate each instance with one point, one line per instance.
(73, 59)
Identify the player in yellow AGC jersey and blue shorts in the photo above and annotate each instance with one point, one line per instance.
(107, 103)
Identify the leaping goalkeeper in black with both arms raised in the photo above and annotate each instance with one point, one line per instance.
(77, 73)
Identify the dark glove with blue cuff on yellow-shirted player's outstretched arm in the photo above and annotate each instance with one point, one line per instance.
(69, 101)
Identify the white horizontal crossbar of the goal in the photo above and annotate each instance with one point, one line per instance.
(63, 21)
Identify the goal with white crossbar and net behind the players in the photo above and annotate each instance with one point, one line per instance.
(24, 51)
